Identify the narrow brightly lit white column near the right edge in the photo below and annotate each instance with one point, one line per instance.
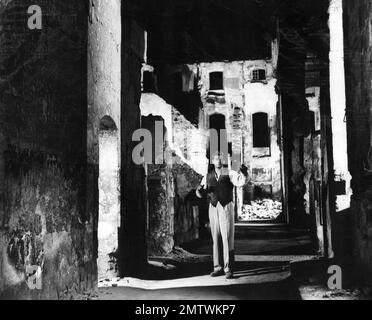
(338, 104)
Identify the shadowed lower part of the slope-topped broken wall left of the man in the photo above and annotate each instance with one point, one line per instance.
(173, 207)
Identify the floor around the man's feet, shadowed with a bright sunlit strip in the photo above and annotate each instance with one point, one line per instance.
(262, 271)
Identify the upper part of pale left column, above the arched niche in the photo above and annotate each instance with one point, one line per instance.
(104, 64)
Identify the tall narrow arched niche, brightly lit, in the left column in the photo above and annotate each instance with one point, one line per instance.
(109, 199)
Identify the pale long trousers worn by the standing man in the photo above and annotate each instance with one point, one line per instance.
(222, 227)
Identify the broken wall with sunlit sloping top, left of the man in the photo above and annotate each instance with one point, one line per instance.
(173, 210)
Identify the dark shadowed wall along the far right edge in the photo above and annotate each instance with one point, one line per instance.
(358, 52)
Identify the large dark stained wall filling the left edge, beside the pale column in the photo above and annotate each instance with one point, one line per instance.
(44, 222)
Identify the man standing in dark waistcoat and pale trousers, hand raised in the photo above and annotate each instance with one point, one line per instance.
(219, 185)
